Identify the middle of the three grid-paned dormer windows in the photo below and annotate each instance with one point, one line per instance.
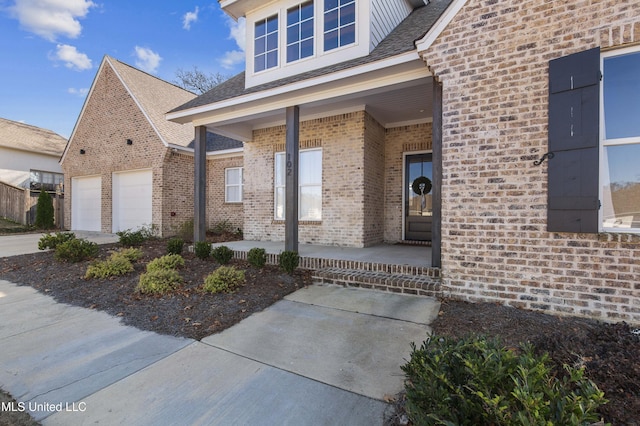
(300, 31)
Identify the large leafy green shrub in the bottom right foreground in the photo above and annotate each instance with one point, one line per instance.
(476, 381)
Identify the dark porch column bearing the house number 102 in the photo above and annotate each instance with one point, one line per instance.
(292, 149)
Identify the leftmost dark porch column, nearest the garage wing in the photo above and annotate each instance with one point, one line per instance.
(200, 184)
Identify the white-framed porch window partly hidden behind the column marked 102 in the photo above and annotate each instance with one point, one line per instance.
(309, 185)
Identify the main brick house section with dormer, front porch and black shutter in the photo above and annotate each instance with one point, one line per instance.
(401, 121)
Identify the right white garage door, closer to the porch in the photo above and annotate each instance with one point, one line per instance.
(132, 193)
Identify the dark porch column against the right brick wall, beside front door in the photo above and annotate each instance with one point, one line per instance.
(436, 231)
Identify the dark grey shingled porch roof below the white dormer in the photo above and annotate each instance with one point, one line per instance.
(401, 40)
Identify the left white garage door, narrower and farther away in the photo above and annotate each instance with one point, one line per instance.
(86, 202)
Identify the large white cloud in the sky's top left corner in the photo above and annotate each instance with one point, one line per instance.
(51, 18)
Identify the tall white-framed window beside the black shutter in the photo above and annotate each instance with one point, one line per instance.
(620, 136)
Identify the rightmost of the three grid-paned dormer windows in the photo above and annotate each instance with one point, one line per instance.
(339, 23)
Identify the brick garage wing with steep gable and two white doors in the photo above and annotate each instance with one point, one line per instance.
(126, 166)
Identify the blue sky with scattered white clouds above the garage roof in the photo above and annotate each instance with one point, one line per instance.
(50, 50)
